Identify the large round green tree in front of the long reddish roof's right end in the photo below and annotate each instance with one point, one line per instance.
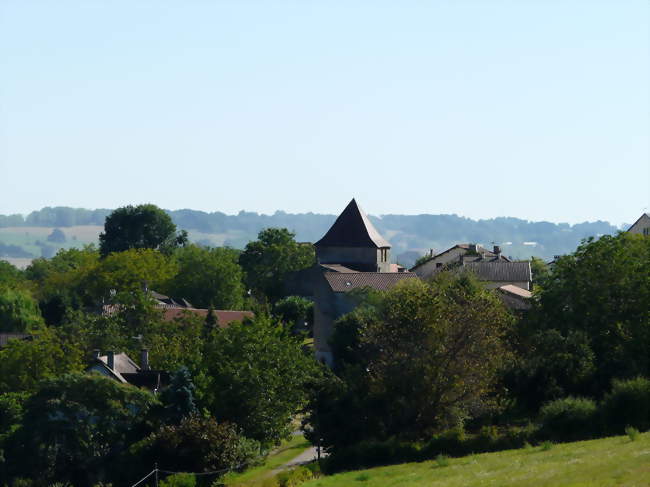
(257, 373)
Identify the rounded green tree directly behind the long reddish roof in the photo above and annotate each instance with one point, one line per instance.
(208, 276)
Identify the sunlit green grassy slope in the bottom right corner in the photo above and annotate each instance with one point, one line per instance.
(615, 461)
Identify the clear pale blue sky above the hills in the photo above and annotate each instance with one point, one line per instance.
(486, 108)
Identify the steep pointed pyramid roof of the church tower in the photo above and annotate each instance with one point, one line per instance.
(352, 229)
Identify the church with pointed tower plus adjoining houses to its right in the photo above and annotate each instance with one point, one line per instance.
(353, 254)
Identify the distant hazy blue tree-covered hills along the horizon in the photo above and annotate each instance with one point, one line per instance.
(410, 235)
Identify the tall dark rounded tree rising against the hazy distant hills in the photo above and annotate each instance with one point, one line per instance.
(139, 227)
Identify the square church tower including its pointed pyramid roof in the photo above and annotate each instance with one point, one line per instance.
(354, 242)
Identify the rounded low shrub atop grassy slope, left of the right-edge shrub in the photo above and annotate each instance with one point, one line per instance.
(569, 419)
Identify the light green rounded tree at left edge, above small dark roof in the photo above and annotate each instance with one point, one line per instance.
(18, 310)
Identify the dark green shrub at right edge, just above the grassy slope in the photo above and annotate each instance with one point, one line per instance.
(627, 405)
